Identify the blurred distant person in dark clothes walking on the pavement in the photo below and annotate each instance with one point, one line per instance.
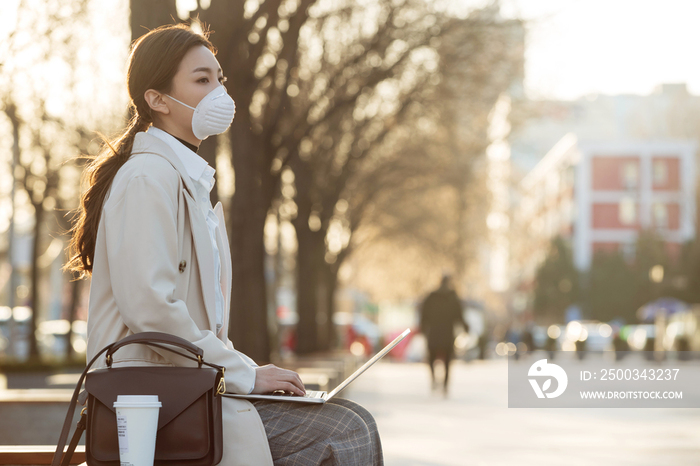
(440, 311)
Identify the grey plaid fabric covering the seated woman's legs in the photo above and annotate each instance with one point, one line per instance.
(339, 432)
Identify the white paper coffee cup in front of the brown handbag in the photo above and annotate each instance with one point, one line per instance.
(137, 425)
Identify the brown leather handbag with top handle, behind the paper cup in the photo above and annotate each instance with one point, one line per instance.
(189, 421)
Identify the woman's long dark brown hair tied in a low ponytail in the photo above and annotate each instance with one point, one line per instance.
(154, 59)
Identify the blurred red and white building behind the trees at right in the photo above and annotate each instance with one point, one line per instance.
(601, 194)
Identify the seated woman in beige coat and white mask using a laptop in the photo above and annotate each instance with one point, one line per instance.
(159, 258)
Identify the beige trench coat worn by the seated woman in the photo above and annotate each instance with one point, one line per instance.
(153, 260)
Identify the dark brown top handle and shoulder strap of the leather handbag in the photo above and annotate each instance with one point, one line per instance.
(145, 338)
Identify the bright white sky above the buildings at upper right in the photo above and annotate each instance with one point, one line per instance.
(577, 48)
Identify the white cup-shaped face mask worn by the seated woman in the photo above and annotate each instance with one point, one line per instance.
(213, 115)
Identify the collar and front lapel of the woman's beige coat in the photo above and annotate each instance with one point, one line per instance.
(146, 143)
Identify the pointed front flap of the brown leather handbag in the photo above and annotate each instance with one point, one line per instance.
(176, 387)
